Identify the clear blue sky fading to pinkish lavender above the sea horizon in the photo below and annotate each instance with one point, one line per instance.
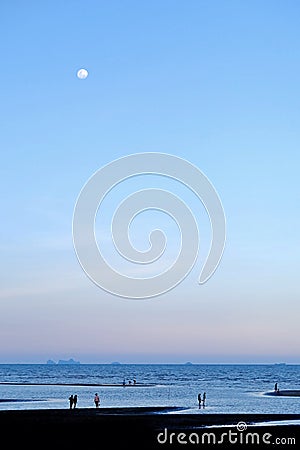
(216, 83)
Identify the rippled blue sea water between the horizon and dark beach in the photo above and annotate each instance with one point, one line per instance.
(229, 388)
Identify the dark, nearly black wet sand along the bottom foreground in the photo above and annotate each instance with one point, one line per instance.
(136, 428)
